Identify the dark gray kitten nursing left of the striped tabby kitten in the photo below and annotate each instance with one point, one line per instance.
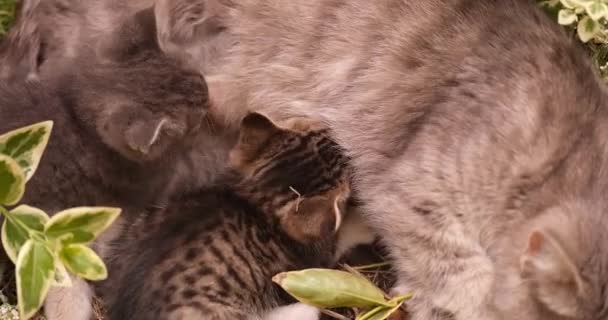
(130, 124)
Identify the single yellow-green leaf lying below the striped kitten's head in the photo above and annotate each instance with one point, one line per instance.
(325, 288)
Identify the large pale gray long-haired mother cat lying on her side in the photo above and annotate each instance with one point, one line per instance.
(476, 127)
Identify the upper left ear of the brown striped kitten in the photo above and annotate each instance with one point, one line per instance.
(255, 131)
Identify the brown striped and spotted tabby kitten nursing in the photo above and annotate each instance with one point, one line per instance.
(211, 255)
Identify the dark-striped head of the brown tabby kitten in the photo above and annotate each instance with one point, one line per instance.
(295, 173)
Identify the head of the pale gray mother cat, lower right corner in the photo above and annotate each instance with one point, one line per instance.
(561, 268)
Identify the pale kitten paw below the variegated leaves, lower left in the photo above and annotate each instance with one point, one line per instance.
(69, 303)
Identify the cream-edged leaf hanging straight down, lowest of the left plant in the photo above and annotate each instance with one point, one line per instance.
(35, 268)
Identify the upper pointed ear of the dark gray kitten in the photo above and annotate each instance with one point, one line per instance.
(136, 32)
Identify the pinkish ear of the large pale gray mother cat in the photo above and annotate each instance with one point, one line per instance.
(552, 272)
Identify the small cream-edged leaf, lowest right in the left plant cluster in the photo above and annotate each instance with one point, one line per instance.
(83, 262)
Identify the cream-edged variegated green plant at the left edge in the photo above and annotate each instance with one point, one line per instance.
(44, 250)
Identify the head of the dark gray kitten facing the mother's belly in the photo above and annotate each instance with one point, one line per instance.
(139, 101)
